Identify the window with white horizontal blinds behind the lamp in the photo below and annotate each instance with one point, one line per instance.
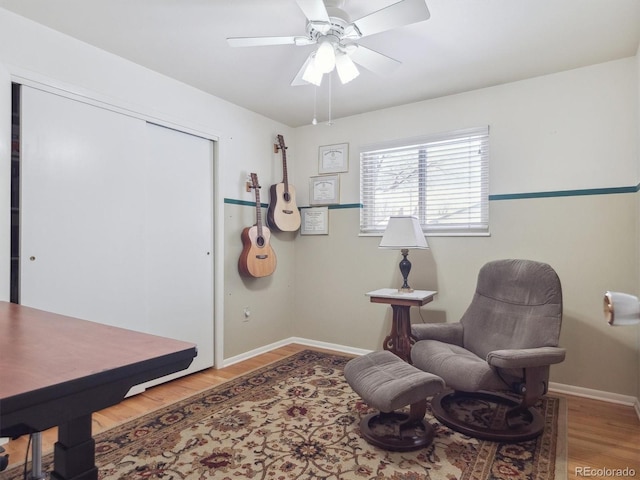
(443, 180)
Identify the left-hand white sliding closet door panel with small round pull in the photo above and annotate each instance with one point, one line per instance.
(82, 210)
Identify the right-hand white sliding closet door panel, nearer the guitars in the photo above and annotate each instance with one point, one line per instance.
(179, 247)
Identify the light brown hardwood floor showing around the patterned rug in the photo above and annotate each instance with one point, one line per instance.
(601, 435)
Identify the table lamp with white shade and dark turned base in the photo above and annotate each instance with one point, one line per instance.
(404, 233)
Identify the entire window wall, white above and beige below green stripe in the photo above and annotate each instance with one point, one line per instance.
(569, 131)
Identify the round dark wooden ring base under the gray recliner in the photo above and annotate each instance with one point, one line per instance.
(518, 425)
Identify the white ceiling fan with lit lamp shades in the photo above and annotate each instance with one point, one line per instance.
(330, 27)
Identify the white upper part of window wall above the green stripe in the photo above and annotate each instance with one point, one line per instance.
(571, 130)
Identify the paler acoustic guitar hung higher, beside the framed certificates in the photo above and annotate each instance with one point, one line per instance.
(283, 214)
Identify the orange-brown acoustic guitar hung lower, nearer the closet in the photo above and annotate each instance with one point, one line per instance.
(257, 258)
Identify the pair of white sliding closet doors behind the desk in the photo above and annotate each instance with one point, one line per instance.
(117, 222)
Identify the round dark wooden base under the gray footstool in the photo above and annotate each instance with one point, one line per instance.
(396, 432)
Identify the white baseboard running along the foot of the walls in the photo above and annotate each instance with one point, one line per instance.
(553, 387)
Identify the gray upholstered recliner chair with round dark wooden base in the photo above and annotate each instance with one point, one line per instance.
(501, 350)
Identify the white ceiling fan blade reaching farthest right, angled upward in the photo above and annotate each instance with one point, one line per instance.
(405, 12)
